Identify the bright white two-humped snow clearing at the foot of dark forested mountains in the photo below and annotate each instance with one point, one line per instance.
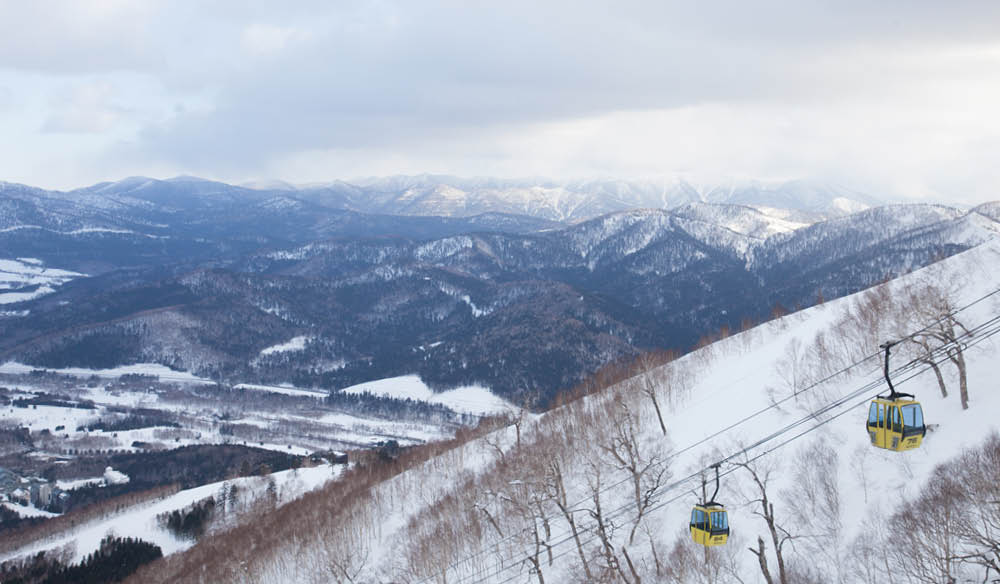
(471, 399)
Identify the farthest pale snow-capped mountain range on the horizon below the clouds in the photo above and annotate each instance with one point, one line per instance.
(570, 201)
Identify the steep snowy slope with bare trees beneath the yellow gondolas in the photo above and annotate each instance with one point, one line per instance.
(597, 490)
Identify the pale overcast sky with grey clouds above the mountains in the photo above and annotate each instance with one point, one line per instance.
(898, 97)
